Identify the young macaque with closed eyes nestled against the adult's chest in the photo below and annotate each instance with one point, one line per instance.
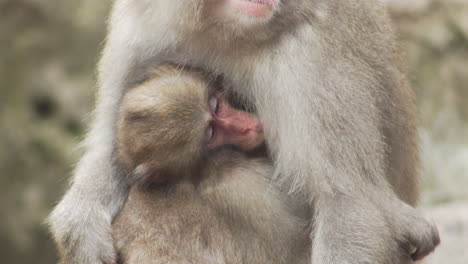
(215, 205)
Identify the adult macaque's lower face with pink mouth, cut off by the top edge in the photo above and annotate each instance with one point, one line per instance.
(225, 17)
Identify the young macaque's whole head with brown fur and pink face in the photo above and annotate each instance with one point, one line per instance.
(170, 123)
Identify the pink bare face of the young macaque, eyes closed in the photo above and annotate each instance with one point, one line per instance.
(235, 127)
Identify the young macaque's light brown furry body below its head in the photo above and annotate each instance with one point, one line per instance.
(233, 216)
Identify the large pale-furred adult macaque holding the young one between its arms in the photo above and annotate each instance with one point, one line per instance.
(321, 75)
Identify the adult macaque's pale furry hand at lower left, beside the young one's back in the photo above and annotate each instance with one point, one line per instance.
(82, 237)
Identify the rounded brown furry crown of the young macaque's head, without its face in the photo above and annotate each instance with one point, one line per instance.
(161, 124)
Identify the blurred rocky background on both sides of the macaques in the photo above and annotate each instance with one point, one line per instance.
(48, 51)
